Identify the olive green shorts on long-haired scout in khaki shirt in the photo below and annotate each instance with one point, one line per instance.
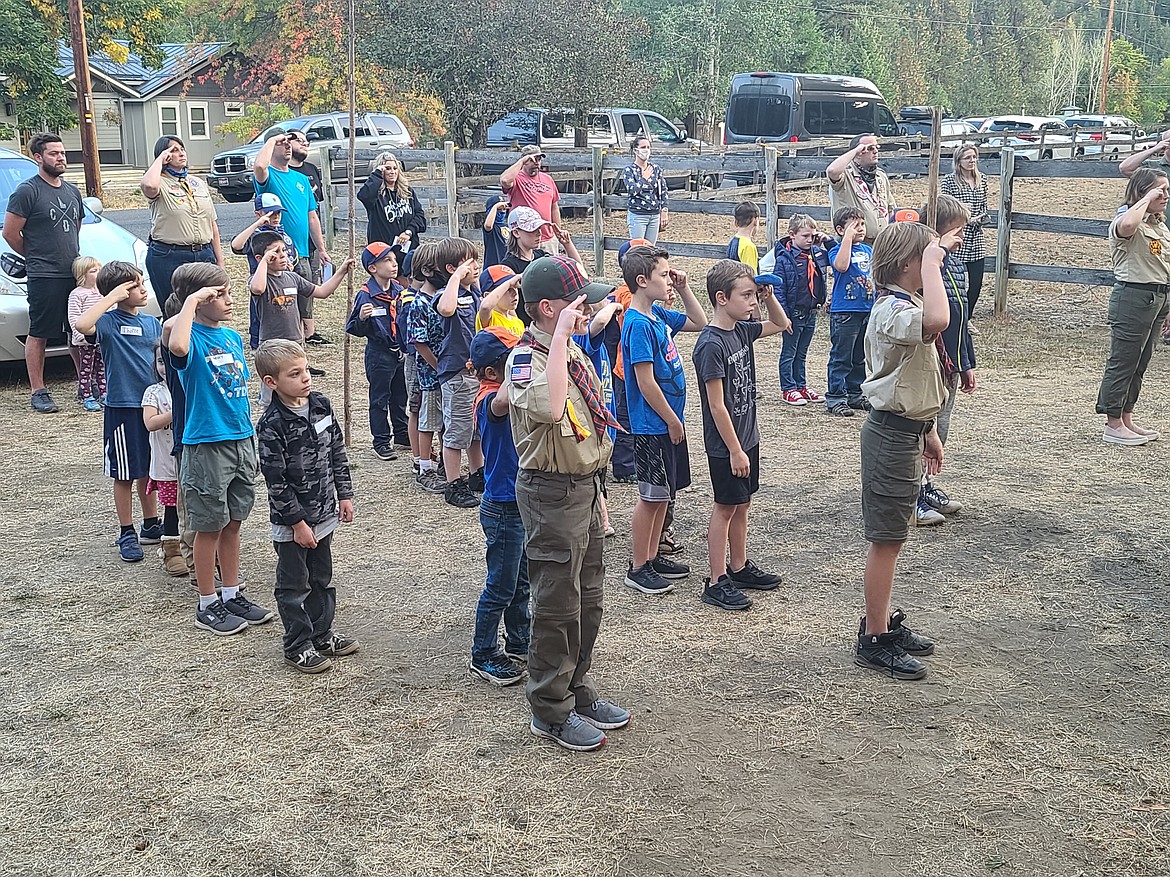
(891, 480)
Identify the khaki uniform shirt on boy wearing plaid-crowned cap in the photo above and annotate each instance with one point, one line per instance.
(545, 439)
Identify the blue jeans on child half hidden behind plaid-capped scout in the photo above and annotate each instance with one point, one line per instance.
(507, 590)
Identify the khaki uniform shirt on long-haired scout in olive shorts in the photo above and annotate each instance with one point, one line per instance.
(904, 375)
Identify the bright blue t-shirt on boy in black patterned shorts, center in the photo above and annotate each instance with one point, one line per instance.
(651, 340)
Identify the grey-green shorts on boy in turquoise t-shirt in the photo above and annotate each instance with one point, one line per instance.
(218, 484)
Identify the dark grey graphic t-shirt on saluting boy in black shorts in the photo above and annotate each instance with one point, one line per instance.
(729, 355)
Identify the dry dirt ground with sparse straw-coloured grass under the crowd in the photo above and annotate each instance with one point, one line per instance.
(133, 744)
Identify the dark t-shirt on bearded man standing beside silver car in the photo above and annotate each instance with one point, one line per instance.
(53, 219)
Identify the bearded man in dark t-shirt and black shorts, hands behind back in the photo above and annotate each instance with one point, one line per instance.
(43, 224)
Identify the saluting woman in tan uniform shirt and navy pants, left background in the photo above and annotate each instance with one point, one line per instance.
(183, 217)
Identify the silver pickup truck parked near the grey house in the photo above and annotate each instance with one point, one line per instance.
(375, 133)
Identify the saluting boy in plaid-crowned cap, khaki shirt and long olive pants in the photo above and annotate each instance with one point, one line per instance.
(560, 425)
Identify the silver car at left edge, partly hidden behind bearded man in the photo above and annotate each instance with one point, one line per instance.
(100, 238)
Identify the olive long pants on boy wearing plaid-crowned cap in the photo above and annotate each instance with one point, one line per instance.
(567, 570)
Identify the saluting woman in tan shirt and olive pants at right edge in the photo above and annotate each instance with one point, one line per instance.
(1140, 246)
